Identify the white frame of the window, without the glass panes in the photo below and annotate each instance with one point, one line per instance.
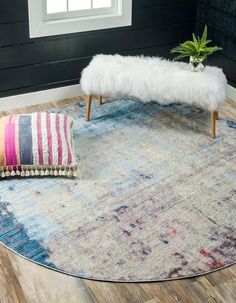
(42, 24)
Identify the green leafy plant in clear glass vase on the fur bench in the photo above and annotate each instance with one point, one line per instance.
(197, 50)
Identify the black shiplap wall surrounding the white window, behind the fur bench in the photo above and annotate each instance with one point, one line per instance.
(28, 65)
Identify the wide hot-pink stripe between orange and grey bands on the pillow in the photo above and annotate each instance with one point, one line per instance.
(10, 143)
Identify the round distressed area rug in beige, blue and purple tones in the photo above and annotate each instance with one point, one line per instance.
(155, 198)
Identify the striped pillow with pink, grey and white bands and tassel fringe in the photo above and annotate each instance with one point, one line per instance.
(38, 144)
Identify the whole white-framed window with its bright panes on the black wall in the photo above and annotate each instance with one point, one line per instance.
(54, 17)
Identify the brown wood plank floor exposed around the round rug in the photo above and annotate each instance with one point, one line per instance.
(24, 282)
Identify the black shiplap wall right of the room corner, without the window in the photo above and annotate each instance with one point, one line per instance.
(220, 16)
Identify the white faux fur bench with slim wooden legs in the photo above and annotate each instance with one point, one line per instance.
(153, 78)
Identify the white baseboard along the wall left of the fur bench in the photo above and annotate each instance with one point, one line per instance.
(45, 96)
